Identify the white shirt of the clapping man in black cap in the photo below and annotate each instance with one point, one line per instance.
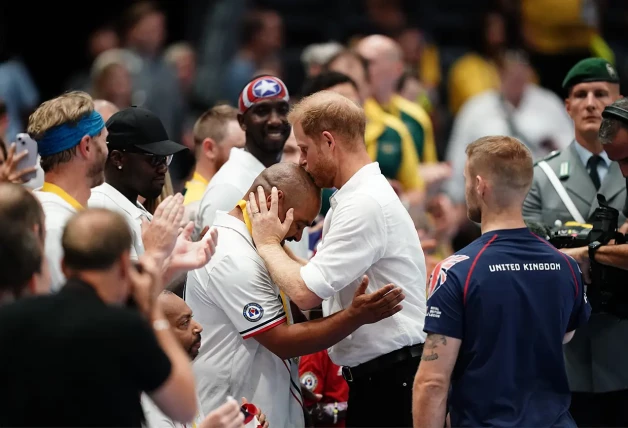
(108, 197)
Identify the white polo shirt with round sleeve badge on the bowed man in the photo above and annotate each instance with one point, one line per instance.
(234, 299)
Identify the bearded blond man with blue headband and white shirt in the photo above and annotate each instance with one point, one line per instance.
(72, 143)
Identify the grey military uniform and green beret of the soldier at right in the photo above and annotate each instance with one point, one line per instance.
(595, 357)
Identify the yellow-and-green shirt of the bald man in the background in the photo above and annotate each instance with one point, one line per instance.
(416, 118)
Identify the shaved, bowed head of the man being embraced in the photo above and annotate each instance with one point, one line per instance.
(295, 189)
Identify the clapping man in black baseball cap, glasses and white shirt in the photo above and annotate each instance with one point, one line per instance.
(139, 154)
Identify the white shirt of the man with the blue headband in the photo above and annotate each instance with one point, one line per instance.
(57, 212)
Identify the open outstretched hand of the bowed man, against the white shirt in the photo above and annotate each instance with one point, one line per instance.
(374, 307)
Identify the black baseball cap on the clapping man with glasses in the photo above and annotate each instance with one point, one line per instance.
(139, 128)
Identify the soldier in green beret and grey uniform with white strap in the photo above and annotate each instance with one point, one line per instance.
(565, 188)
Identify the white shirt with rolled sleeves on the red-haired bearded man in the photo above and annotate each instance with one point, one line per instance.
(368, 231)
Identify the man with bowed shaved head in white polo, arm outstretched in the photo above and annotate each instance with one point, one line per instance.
(250, 343)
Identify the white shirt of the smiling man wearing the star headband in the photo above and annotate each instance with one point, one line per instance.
(228, 186)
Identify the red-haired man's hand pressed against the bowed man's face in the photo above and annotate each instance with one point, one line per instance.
(267, 229)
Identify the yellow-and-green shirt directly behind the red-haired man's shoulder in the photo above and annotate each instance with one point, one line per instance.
(389, 142)
